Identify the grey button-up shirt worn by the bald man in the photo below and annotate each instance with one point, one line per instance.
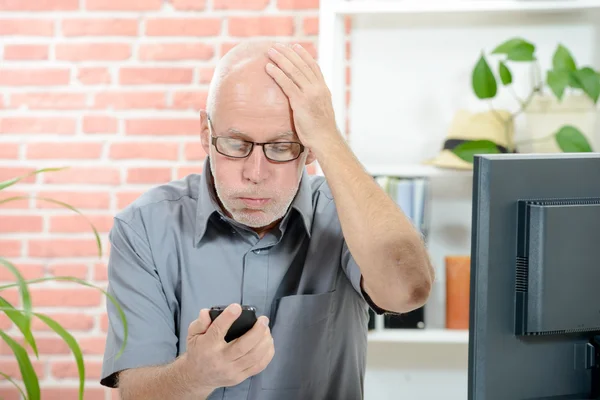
(173, 252)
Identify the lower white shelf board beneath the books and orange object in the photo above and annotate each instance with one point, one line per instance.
(440, 336)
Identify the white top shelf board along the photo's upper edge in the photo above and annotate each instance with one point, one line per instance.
(461, 6)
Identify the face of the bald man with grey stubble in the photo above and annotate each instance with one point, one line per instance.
(254, 191)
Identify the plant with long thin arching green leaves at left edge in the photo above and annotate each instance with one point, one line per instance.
(22, 317)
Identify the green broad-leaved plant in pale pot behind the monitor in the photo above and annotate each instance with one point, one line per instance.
(580, 84)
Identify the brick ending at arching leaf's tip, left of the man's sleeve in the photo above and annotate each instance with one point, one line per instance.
(63, 248)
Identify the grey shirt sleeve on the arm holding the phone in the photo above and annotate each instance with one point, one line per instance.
(134, 283)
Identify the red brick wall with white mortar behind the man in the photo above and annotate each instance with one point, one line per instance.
(110, 88)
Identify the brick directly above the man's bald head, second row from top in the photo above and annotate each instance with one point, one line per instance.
(261, 26)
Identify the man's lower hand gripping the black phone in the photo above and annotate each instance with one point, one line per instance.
(214, 363)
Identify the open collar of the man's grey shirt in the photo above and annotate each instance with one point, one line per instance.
(208, 204)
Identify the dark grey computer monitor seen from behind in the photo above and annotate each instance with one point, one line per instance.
(535, 284)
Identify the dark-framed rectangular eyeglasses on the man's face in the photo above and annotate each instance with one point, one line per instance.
(239, 148)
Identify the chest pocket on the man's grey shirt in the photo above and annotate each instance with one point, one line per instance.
(302, 340)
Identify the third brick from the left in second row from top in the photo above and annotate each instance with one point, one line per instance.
(183, 27)
